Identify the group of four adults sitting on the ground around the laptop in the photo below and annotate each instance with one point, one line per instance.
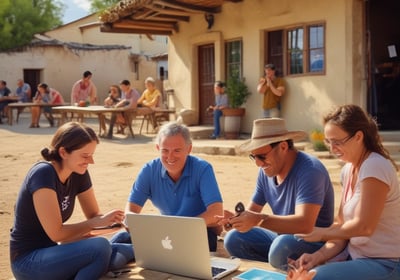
(300, 235)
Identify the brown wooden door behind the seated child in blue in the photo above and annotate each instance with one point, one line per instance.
(206, 64)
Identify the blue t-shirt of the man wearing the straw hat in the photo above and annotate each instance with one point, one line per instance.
(308, 182)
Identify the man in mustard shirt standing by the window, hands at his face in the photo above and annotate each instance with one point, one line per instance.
(272, 88)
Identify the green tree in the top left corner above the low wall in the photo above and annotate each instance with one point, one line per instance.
(21, 19)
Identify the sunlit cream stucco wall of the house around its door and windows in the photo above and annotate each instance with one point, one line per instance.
(308, 97)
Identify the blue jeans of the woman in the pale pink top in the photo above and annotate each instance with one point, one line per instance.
(365, 269)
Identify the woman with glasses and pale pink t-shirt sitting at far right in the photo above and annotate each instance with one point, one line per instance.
(368, 222)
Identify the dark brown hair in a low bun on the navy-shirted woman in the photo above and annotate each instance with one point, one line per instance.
(71, 136)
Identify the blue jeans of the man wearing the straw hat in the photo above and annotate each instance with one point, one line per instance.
(267, 246)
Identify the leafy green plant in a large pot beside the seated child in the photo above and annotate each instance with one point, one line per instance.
(237, 92)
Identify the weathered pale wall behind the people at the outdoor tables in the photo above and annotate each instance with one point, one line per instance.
(61, 67)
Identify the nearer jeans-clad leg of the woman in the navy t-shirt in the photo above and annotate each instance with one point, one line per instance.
(85, 259)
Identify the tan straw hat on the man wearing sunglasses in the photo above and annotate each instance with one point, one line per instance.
(268, 131)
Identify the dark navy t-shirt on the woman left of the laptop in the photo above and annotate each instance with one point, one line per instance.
(27, 233)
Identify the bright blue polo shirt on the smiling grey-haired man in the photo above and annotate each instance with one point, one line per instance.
(189, 196)
